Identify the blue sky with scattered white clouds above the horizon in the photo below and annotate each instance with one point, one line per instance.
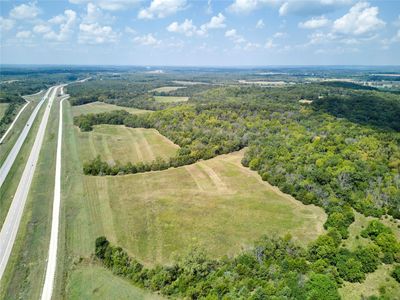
(200, 33)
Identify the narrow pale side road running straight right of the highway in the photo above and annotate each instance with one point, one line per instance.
(52, 258)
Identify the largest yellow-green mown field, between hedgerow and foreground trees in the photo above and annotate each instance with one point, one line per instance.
(216, 204)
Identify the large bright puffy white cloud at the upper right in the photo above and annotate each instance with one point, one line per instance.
(361, 19)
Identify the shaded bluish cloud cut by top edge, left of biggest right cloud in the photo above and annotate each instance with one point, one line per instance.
(311, 7)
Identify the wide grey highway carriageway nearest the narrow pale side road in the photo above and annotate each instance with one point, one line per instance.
(11, 224)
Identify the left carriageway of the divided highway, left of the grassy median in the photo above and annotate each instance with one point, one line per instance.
(8, 163)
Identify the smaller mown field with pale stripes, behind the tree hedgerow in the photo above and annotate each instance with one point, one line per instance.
(123, 144)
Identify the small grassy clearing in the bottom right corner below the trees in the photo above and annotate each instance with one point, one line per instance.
(378, 283)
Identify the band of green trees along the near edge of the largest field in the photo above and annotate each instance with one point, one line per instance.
(276, 268)
